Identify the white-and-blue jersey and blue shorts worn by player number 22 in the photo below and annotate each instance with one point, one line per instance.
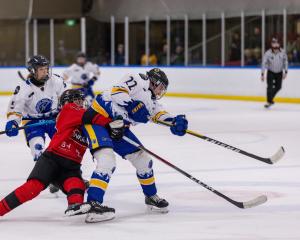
(111, 103)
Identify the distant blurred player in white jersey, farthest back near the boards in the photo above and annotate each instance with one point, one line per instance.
(83, 74)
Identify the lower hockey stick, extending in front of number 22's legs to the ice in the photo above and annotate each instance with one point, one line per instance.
(249, 204)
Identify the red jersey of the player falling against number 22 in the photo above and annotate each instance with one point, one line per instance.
(69, 141)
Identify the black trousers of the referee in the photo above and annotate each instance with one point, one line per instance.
(274, 82)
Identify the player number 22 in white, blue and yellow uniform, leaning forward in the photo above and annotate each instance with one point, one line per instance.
(135, 98)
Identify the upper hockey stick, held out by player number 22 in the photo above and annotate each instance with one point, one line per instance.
(273, 159)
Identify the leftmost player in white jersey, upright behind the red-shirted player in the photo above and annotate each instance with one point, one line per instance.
(35, 99)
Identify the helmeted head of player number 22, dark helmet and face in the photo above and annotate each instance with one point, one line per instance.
(158, 79)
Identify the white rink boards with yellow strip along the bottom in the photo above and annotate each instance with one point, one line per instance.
(211, 82)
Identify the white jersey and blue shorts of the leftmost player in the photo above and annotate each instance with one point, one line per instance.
(32, 102)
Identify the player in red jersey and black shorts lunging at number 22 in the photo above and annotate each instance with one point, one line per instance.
(61, 162)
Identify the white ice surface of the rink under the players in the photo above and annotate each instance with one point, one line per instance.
(195, 213)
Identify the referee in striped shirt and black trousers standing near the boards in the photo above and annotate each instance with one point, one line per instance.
(276, 62)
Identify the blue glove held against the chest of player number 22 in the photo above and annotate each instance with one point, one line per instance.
(137, 111)
